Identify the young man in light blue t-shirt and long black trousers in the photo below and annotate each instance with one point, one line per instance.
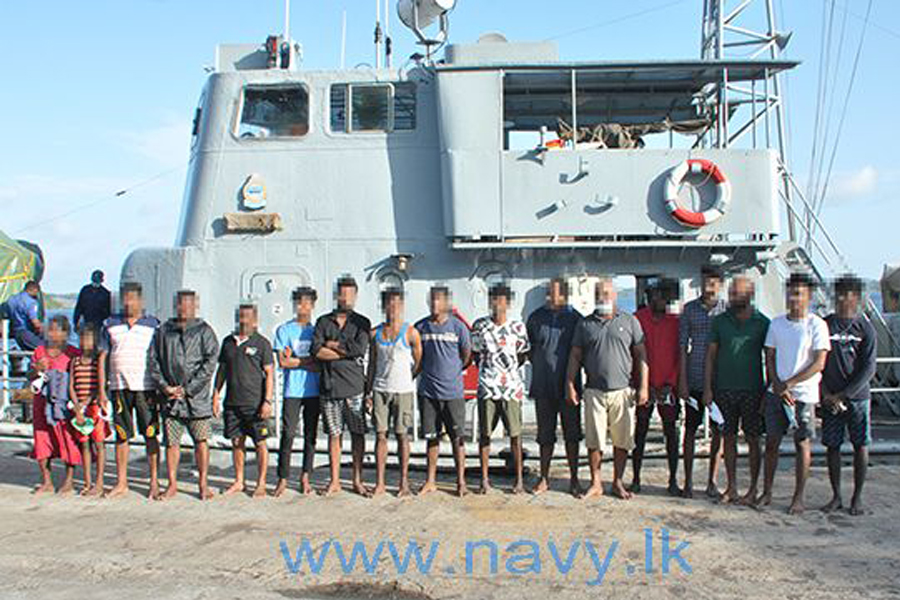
(301, 388)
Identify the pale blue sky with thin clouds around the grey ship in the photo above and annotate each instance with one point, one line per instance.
(99, 94)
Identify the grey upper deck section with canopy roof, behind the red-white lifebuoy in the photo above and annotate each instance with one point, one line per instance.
(536, 152)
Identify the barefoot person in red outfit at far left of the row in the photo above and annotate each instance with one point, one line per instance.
(54, 437)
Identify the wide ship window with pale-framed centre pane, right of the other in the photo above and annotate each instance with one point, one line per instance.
(370, 107)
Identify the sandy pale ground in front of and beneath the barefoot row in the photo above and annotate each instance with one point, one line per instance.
(232, 548)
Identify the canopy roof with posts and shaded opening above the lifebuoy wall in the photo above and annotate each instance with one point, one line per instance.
(683, 96)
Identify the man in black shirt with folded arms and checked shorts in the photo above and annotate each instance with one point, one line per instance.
(341, 342)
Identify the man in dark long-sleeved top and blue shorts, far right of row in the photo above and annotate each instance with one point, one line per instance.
(845, 389)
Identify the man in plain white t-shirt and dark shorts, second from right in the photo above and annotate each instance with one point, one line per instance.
(797, 345)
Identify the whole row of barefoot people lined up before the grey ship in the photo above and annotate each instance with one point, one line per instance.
(601, 376)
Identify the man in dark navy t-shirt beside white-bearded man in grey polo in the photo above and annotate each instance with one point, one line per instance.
(550, 331)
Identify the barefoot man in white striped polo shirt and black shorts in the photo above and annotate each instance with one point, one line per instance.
(126, 341)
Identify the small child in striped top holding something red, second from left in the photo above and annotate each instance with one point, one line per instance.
(90, 407)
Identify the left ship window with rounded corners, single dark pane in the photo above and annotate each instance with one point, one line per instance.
(274, 111)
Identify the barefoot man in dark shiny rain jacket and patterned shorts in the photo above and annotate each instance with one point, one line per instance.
(183, 362)
